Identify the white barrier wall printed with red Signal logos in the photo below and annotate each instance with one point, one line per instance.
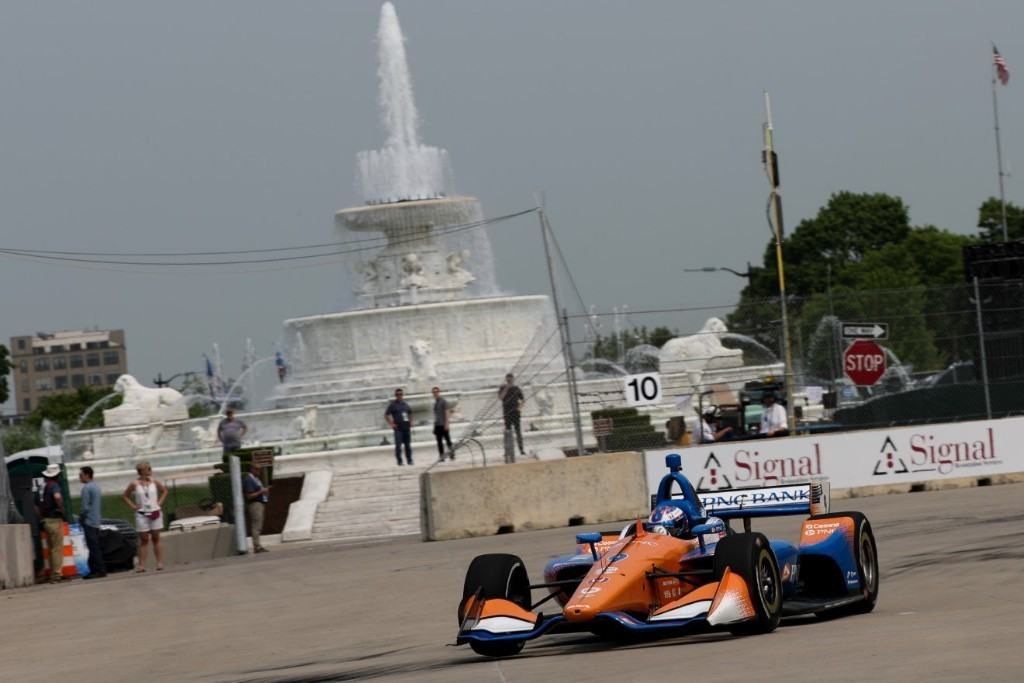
(868, 458)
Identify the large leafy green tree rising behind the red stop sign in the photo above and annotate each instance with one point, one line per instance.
(861, 260)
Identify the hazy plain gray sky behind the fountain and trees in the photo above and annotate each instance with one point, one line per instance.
(197, 125)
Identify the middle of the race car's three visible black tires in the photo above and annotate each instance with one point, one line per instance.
(751, 557)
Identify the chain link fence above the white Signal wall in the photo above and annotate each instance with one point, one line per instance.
(954, 353)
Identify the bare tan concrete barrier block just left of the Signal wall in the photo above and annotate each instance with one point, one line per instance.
(458, 504)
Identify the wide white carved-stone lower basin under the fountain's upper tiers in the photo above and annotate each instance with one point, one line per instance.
(366, 355)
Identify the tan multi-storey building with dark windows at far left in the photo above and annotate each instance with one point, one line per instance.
(50, 364)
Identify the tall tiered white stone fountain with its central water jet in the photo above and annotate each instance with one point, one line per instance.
(431, 312)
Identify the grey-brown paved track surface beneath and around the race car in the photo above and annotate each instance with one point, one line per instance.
(952, 609)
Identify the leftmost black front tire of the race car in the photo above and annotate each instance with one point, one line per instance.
(497, 576)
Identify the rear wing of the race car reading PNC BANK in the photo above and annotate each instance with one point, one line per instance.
(809, 498)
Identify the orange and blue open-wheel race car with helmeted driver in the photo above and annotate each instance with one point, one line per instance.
(684, 571)
